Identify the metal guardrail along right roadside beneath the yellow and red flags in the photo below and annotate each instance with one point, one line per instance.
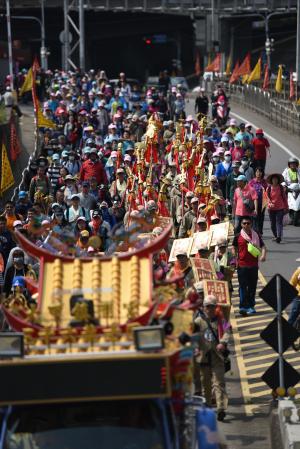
(281, 112)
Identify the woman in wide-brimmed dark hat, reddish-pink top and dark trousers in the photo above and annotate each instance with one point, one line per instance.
(277, 204)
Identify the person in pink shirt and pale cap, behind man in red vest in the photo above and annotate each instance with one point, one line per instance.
(245, 202)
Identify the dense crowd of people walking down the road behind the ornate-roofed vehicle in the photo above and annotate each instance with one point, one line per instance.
(121, 162)
